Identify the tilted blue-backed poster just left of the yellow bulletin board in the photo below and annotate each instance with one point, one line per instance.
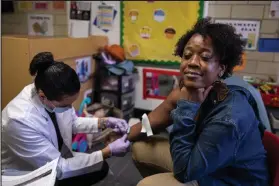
(105, 17)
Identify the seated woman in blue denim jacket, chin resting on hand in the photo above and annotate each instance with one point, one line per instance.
(216, 137)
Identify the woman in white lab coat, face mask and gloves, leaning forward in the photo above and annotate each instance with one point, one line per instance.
(38, 124)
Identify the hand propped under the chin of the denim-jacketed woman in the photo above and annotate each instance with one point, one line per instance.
(194, 95)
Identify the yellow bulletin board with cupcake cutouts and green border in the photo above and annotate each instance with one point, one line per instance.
(151, 29)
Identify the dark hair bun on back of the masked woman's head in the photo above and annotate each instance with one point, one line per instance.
(41, 62)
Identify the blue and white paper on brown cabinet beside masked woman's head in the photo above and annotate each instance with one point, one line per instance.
(83, 68)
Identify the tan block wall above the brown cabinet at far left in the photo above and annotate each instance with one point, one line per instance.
(16, 23)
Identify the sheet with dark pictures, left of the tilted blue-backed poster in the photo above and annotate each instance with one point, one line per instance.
(80, 10)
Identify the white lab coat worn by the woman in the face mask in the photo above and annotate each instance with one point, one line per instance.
(29, 138)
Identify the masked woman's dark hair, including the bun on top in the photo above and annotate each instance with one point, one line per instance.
(55, 79)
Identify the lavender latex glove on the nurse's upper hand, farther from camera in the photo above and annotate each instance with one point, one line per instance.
(118, 125)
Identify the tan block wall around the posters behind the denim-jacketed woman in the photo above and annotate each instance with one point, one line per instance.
(259, 64)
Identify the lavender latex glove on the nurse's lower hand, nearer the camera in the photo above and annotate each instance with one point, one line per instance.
(120, 146)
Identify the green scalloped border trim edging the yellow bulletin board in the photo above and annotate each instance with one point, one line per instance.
(153, 62)
